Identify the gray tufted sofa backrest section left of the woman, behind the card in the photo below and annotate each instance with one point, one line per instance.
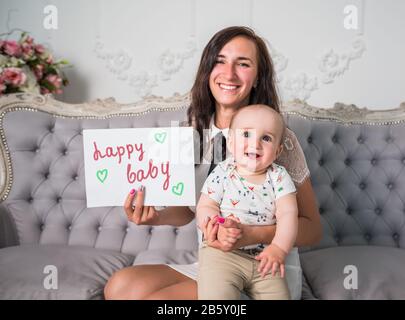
(42, 181)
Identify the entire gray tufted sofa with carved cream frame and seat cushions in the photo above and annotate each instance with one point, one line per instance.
(357, 163)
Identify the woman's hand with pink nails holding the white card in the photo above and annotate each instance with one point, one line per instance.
(140, 214)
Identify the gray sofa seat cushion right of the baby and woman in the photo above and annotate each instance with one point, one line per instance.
(379, 270)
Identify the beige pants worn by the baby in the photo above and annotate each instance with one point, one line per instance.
(223, 275)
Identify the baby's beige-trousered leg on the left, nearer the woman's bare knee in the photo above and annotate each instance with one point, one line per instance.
(220, 275)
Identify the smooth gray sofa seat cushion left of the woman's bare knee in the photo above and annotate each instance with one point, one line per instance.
(81, 272)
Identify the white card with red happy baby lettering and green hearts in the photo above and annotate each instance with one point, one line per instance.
(118, 160)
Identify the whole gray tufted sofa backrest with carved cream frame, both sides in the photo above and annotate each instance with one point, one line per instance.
(356, 158)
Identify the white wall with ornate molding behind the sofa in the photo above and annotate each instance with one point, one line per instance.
(124, 48)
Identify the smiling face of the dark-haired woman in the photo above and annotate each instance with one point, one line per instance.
(235, 73)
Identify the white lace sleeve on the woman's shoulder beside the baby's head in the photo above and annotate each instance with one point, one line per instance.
(293, 159)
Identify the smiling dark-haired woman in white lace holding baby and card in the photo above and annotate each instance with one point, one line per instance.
(235, 70)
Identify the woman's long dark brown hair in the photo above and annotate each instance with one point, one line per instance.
(202, 101)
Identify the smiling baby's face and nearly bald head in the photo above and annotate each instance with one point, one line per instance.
(255, 139)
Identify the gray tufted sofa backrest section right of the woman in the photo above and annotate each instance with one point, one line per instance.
(357, 162)
